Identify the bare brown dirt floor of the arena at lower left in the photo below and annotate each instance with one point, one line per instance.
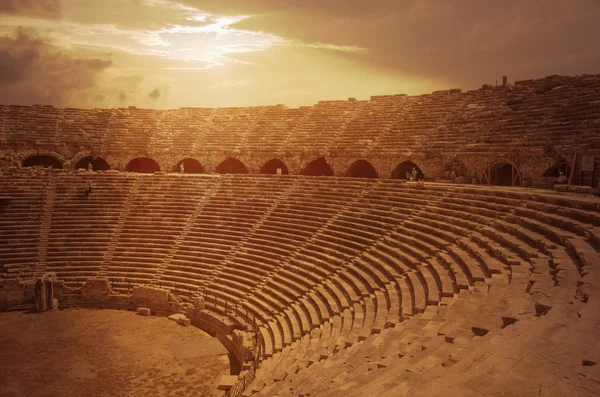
(80, 352)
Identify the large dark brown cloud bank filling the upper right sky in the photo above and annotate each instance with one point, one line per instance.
(461, 42)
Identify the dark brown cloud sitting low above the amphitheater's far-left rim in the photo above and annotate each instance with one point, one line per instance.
(33, 71)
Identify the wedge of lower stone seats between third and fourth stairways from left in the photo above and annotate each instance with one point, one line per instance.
(223, 220)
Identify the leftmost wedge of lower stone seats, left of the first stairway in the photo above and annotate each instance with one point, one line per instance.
(20, 219)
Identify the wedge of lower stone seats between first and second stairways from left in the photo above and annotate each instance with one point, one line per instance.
(82, 226)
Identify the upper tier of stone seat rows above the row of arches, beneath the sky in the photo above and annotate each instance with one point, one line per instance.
(554, 110)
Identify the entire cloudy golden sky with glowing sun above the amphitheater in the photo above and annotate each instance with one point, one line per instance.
(163, 54)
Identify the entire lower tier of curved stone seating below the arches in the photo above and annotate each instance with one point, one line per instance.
(376, 285)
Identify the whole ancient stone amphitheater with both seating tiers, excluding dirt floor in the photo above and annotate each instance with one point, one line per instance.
(294, 237)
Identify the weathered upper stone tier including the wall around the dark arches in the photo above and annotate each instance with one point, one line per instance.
(531, 124)
